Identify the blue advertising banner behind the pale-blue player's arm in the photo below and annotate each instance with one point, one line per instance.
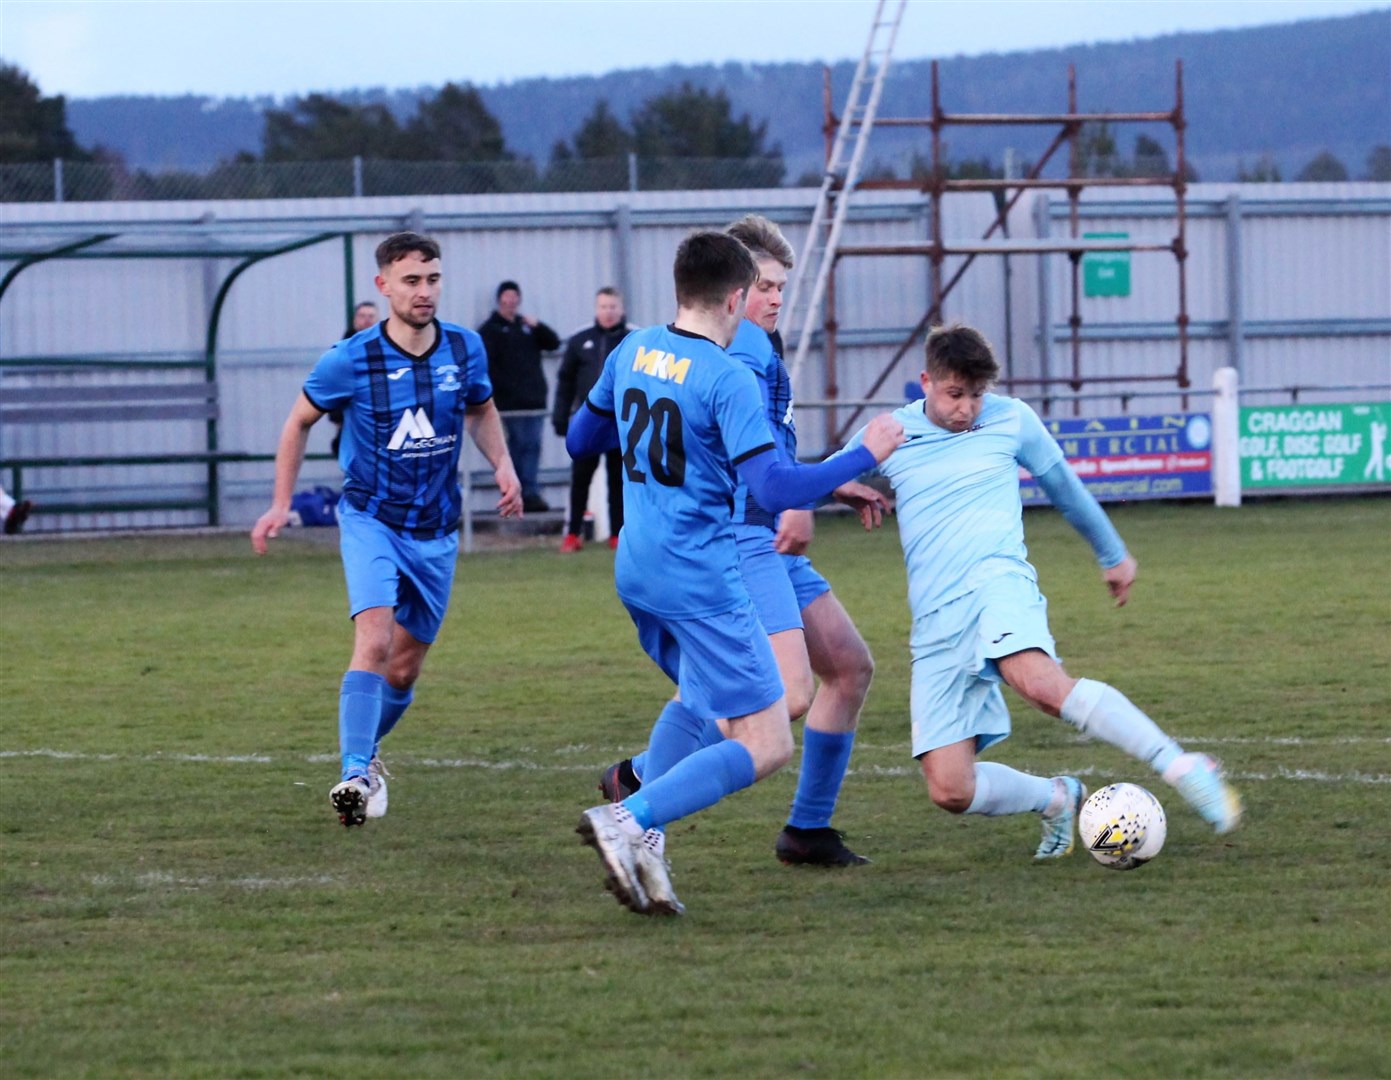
(1122, 459)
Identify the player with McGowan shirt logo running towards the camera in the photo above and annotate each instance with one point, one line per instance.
(410, 390)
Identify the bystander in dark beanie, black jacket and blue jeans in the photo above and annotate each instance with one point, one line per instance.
(515, 344)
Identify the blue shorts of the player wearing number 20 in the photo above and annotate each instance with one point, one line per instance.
(723, 665)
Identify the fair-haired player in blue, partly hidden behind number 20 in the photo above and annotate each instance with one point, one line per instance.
(807, 627)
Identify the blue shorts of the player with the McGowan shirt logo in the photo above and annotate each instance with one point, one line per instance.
(386, 569)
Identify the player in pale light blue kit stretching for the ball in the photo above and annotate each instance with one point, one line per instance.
(979, 617)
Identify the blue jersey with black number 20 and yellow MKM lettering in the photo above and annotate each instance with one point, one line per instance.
(688, 413)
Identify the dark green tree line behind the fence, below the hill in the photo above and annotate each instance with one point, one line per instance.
(673, 137)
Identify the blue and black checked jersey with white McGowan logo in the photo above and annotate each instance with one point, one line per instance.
(403, 422)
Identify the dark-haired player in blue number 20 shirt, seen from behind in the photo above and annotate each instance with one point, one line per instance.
(689, 418)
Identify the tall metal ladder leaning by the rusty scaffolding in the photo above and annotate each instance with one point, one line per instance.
(830, 216)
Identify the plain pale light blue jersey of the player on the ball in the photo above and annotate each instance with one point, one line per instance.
(959, 509)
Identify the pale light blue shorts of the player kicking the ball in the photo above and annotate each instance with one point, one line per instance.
(956, 683)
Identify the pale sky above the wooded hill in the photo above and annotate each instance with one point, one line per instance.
(248, 48)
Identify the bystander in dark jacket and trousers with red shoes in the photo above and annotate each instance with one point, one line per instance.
(581, 370)
